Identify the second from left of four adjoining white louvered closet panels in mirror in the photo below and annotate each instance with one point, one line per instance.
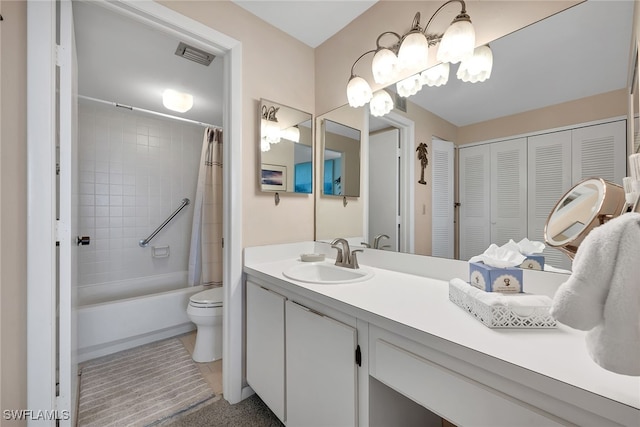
(508, 191)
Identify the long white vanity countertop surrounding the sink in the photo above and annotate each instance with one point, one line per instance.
(422, 304)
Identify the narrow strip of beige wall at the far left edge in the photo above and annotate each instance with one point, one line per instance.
(13, 207)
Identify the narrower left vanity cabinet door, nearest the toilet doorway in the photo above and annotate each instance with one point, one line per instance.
(265, 346)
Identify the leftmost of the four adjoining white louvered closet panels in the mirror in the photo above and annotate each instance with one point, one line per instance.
(474, 200)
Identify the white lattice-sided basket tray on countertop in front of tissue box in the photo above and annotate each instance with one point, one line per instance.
(502, 316)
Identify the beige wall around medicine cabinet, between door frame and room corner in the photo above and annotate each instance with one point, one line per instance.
(279, 68)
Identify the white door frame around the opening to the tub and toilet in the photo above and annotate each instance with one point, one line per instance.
(41, 198)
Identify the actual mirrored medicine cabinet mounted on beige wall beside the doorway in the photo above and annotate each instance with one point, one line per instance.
(285, 149)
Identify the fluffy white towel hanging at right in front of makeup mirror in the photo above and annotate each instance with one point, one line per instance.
(602, 295)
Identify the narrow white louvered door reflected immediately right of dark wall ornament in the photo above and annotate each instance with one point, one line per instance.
(442, 235)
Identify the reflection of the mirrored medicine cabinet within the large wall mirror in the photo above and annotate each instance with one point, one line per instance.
(340, 159)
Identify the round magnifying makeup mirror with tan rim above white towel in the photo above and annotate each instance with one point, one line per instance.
(588, 204)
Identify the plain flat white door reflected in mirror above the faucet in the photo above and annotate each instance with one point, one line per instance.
(384, 188)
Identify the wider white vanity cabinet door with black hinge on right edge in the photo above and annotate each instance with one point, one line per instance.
(321, 369)
